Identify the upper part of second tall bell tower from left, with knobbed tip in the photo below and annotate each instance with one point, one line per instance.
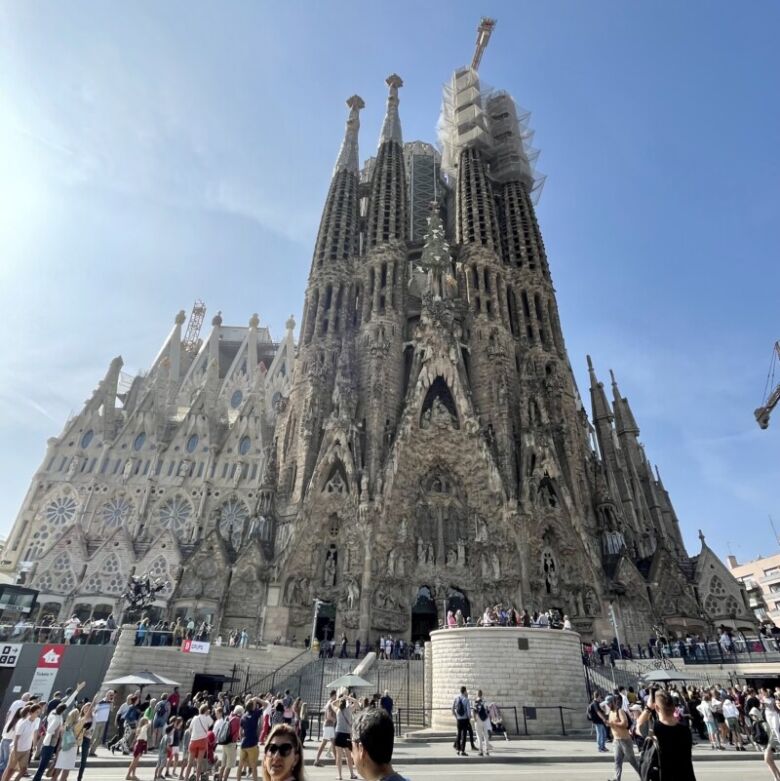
(387, 203)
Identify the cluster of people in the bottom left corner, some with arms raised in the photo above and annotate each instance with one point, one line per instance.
(58, 732)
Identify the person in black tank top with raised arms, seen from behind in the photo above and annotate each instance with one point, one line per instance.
(666, 755)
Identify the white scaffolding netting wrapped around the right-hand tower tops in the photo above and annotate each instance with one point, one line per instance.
(475, 115)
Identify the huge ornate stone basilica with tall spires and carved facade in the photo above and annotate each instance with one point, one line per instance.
(422, 447)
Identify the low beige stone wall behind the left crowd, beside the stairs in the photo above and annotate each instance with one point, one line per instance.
(173, 663)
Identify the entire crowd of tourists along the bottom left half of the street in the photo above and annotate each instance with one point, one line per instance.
(201, 736)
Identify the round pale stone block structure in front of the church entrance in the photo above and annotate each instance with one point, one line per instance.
(539, 669)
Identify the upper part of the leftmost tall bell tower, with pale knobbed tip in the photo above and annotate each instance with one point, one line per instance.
(337, 239)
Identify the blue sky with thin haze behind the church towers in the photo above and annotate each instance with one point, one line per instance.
(154, 153)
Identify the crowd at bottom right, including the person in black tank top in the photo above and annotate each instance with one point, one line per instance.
(669, 719)
